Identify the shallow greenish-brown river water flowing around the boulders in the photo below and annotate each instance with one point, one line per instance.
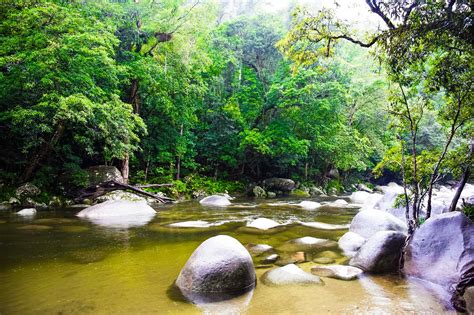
(56, 263)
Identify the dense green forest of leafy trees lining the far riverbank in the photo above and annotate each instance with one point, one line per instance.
(182, 92)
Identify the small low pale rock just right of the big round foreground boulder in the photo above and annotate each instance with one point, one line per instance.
(289, 274)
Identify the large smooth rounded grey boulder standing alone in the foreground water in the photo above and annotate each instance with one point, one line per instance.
(220, 268)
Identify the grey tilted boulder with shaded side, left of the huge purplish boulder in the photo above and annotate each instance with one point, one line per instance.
(381, 252)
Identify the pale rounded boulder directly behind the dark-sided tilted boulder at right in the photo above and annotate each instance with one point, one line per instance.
(368, 222)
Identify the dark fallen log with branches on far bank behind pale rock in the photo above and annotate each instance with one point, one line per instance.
(98, 190)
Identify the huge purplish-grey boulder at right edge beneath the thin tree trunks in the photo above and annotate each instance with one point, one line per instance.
(441, 249)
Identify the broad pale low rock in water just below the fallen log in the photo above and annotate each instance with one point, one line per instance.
(115, 208)
